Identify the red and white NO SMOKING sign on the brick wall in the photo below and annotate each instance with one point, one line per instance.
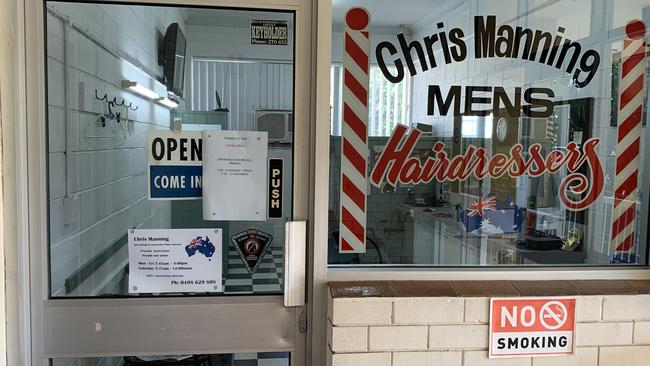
(525, 327)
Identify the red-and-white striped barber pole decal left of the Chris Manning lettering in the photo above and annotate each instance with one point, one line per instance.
(354, 151)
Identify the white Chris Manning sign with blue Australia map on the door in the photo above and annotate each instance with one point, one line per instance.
(175, 260)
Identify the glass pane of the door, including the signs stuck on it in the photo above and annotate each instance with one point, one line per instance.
(130, 88)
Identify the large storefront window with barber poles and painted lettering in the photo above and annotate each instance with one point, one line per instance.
(488, 134)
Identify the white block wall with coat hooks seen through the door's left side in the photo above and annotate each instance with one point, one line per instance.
(107, 176)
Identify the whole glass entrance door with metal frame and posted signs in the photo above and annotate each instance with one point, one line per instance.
(167, 170)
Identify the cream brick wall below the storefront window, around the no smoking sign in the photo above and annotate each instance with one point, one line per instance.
(453, 331)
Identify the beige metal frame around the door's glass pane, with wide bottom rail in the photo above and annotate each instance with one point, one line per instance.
(103, 327)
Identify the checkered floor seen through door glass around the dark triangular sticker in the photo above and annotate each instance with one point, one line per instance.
(267, 278)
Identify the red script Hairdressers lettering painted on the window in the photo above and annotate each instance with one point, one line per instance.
(396, 165)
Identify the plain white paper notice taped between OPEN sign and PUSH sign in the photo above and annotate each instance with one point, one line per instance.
(234, 175)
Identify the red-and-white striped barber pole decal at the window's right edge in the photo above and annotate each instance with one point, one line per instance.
(630, 112)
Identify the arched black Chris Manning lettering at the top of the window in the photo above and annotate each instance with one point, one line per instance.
(490, 41)
